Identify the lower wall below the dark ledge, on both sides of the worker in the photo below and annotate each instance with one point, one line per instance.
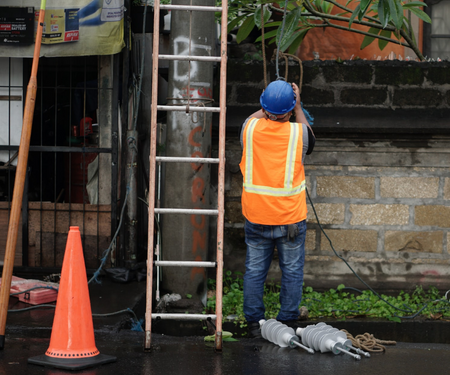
(390, 221)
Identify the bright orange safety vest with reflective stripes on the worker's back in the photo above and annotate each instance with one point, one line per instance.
(274, 178)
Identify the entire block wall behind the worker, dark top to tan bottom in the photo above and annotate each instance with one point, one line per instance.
(378, 177)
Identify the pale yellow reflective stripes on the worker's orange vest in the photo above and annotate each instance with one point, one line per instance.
(287, 190)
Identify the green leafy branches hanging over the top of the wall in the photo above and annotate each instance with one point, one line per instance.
(388, 21)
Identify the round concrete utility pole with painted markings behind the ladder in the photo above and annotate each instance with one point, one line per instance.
(185, 237)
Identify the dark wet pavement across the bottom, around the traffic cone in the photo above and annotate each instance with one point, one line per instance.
(191, 355)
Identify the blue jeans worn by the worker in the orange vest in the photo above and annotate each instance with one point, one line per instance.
(261, 241)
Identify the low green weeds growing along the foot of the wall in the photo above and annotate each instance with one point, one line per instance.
(341, 303)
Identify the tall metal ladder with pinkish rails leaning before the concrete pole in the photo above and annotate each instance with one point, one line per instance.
(221, 172)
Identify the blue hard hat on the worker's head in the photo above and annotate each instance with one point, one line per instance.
(278, 98)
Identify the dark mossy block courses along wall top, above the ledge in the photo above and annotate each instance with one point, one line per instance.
(383, 84)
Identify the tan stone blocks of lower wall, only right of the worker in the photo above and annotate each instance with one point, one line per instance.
(396, 213)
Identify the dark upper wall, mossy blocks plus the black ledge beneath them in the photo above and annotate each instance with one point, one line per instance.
(354, 96)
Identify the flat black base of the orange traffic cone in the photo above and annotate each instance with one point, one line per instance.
(71, 363)
